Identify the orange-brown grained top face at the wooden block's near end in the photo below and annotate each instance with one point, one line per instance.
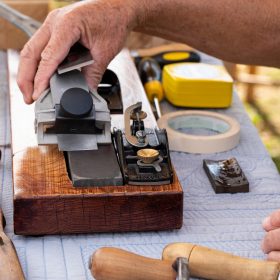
(44, 169)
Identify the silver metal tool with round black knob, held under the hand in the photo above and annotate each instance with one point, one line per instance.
(71, 115)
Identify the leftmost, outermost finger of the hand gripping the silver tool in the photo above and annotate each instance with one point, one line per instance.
(29, 59)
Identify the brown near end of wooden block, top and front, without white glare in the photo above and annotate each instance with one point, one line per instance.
(45, 202)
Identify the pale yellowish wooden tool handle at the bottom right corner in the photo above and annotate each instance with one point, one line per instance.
(217, 265)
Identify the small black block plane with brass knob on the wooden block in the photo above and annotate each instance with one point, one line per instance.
(130, 145)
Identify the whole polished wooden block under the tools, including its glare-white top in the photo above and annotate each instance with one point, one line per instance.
(45, 202)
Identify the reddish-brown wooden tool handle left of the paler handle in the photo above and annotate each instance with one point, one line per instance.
(117, 264)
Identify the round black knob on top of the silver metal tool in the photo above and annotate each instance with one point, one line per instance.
(76, 103)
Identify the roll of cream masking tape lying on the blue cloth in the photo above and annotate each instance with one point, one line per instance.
(184, 131)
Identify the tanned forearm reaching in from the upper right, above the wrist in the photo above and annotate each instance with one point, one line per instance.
(239, 31)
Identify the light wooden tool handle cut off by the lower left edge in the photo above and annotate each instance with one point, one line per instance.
(9, 263)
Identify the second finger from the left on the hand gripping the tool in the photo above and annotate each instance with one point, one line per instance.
(56, 50)
